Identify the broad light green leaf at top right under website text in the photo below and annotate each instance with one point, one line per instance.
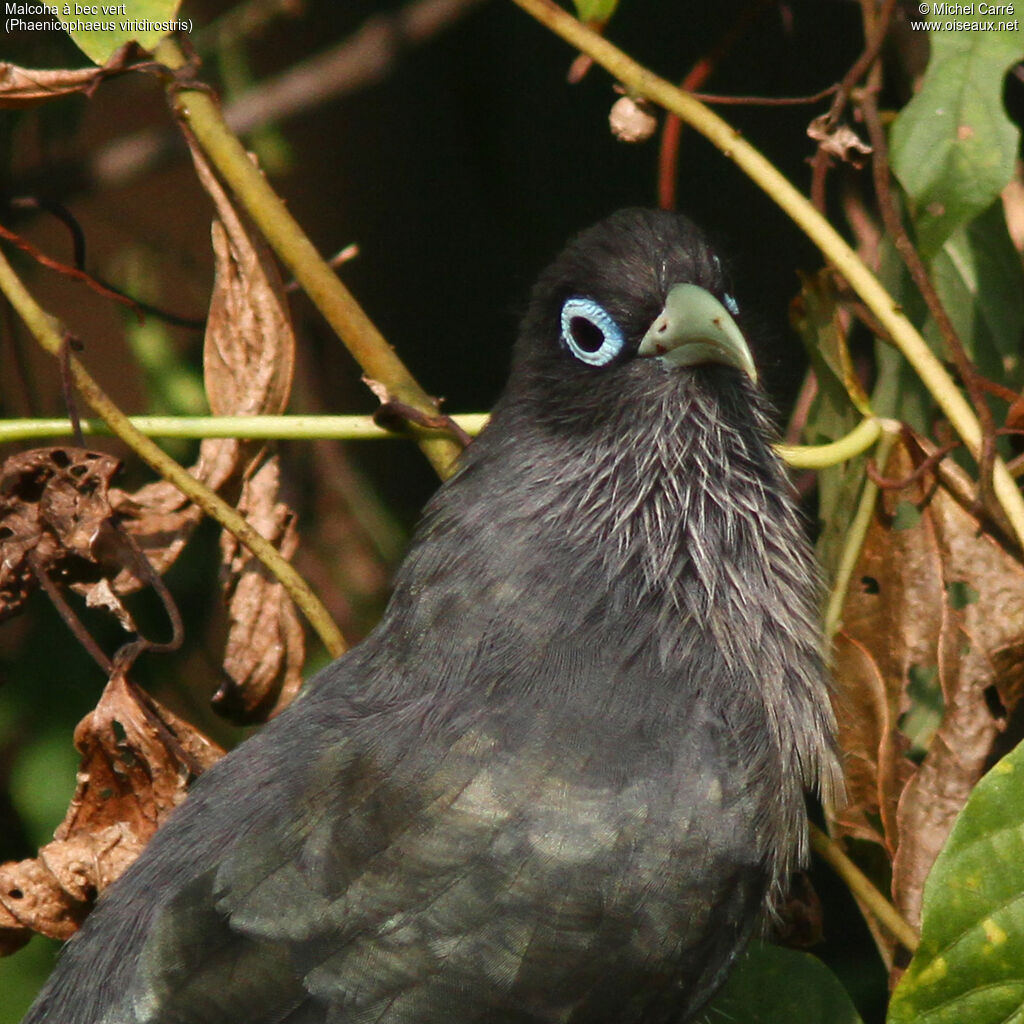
(954, 145)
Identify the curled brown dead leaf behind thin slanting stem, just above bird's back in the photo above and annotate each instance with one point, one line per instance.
(266, 648)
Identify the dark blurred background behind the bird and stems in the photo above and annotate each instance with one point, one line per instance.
(446, 142)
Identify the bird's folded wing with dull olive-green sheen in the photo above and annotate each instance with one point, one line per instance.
(487, 883)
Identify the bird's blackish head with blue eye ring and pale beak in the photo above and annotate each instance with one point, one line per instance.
(626, 307)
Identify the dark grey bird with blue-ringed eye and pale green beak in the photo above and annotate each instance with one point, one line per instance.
(565, 778)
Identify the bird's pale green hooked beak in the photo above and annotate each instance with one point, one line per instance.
(696, 328)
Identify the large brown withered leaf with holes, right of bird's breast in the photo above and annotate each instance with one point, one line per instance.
(932, 627)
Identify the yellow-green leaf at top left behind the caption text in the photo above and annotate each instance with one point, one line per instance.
(100, 27)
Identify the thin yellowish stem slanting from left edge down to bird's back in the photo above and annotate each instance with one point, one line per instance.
(48, 332)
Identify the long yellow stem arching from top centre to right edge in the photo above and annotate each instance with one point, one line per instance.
(638, 81)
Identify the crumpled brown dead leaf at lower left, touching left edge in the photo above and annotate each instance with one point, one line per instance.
(138, 761)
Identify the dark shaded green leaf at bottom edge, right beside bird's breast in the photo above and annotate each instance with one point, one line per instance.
(772, 986)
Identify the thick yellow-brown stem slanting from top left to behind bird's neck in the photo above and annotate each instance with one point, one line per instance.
(379, 362)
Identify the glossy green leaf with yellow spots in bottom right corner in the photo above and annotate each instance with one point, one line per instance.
(970, 966)
